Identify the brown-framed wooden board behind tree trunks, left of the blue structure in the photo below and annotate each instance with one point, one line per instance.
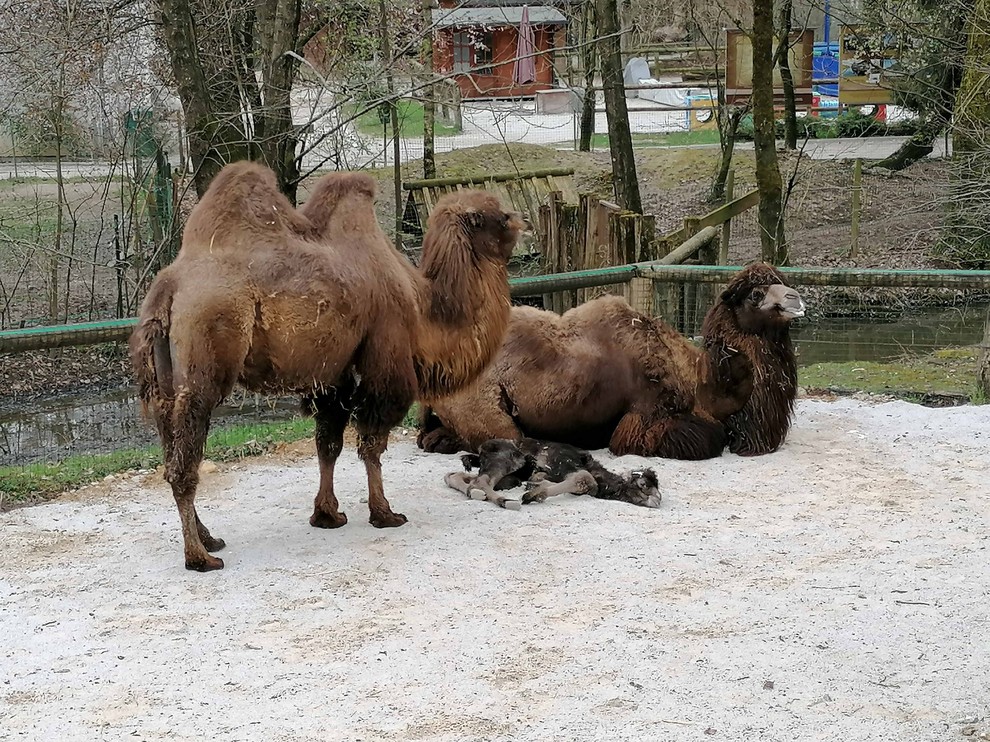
(739, 67)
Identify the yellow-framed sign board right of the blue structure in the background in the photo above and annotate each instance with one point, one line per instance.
(865, 60)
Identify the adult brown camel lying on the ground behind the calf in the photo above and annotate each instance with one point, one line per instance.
(605, 375)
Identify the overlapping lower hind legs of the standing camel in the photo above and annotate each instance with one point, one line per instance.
(190, 423)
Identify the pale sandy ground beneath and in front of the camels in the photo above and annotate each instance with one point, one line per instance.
(836, 590)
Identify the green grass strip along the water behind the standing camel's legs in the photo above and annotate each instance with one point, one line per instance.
(39, 481)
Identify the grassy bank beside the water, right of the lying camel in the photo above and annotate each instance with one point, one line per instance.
(945, 372)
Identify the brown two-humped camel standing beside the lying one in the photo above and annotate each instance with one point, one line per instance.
(317, 302)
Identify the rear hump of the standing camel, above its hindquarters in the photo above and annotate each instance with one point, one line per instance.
(242, 198)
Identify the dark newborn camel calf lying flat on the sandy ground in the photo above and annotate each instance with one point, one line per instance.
(548, 469)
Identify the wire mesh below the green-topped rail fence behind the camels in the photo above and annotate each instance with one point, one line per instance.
(913, 342)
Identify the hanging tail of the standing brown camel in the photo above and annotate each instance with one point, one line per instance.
(151, 357)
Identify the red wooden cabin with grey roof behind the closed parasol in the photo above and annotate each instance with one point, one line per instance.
(477, 41)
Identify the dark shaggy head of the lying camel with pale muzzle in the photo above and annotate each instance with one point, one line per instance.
(761, 300)
